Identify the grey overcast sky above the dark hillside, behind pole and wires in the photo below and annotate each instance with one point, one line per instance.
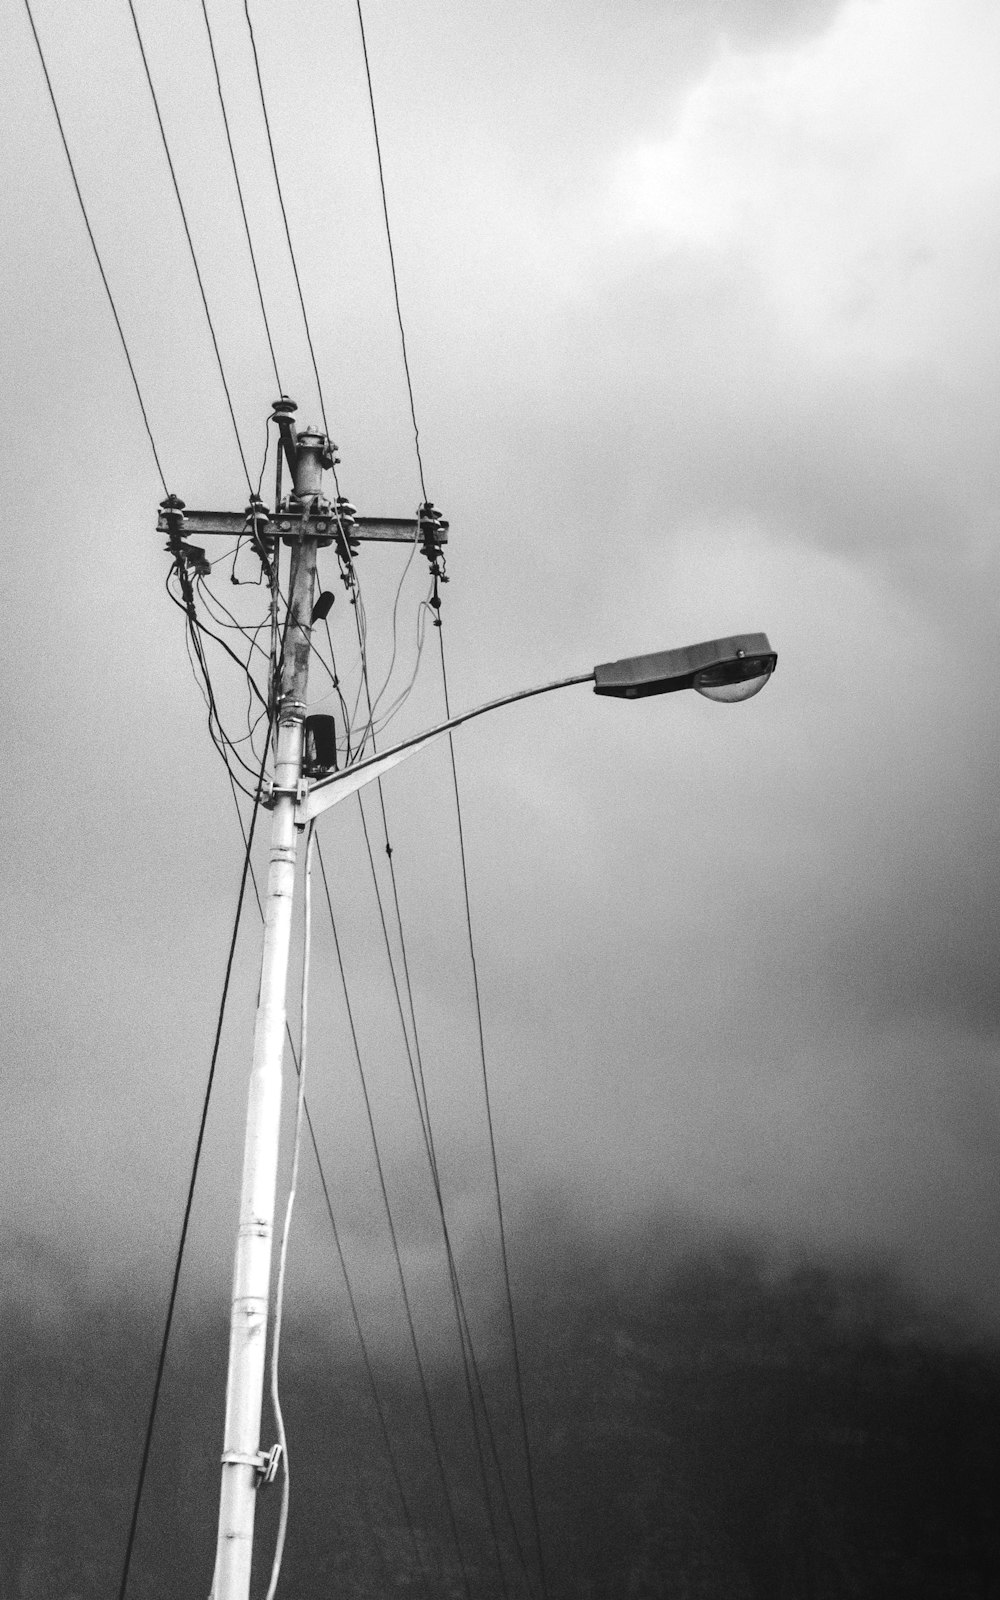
(705, 337)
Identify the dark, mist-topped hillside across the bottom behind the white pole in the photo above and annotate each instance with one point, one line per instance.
(703, 1426)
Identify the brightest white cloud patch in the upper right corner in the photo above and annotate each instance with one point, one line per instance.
(852, 174)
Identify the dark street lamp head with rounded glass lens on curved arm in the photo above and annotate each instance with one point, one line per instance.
(722, 670)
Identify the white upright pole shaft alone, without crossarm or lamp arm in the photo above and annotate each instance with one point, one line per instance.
(242, 1458)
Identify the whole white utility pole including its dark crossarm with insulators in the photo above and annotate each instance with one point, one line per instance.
(303, 522)
